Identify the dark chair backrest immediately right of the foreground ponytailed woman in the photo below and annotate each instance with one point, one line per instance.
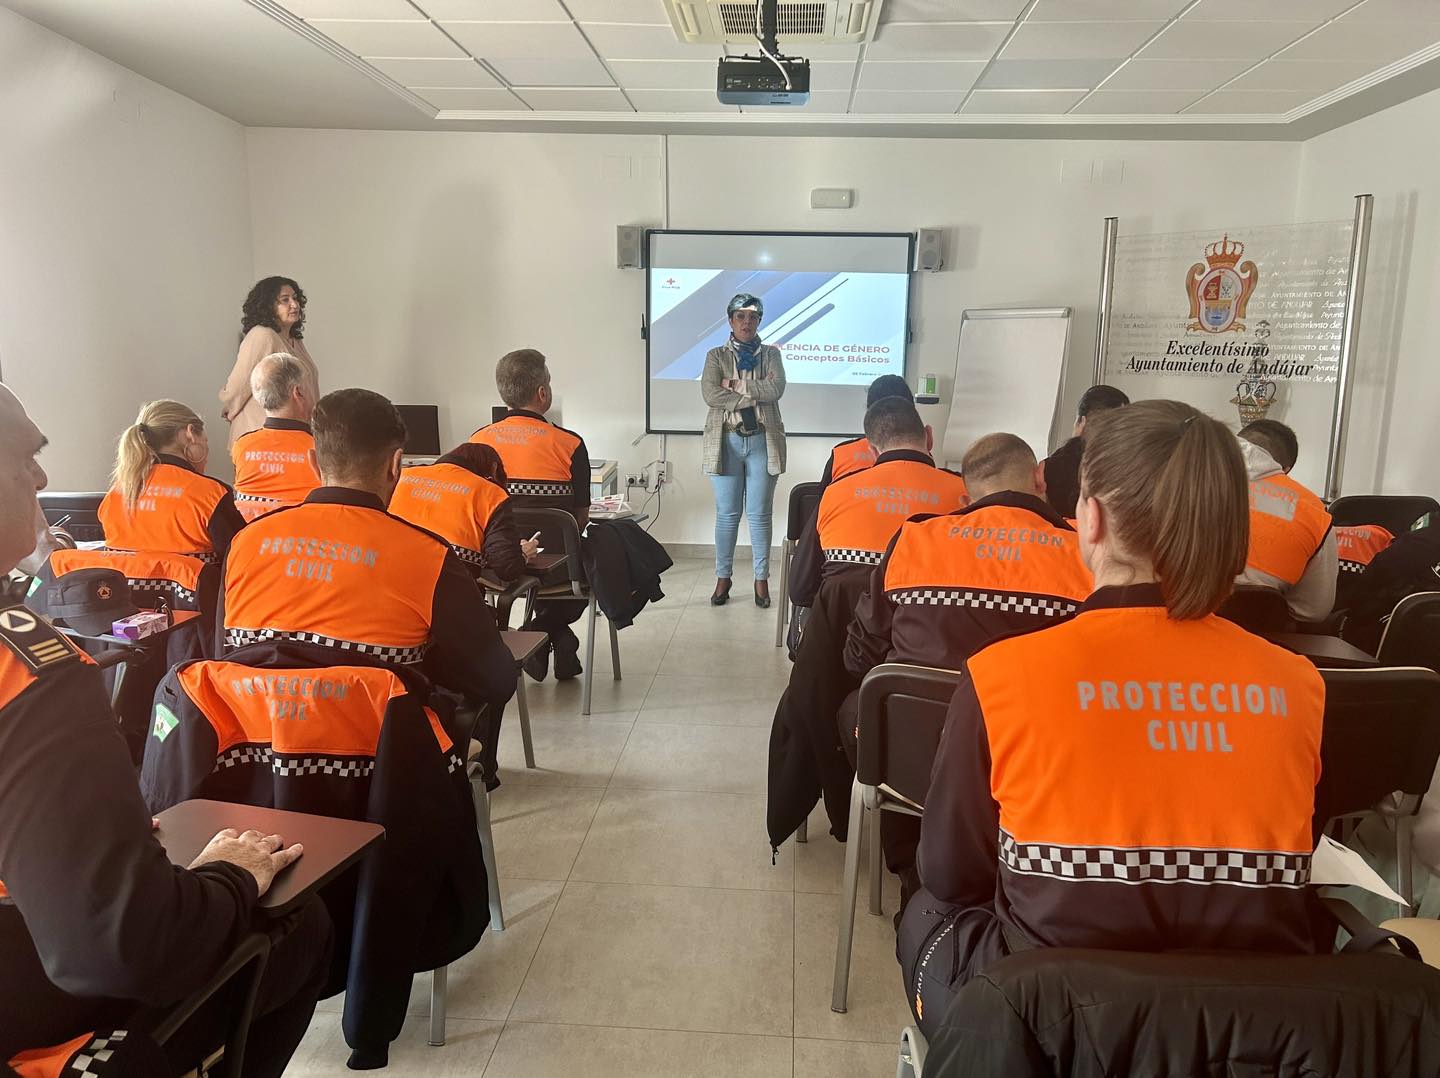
(1382, 738)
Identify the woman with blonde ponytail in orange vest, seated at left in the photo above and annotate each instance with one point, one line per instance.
(161, 497)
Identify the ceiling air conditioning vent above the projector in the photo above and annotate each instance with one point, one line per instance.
(803, 22)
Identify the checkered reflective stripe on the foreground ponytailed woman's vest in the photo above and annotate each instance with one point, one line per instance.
(1156, 864)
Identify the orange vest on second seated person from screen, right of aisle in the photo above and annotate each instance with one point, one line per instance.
(860, 515)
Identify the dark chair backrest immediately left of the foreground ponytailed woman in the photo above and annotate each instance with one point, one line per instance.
(902, 717)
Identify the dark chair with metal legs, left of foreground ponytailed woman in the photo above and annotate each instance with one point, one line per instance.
(902, 717)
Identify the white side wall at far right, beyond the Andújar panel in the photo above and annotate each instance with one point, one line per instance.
(1395, 156)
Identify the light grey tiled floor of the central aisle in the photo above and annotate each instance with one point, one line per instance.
(647, 930)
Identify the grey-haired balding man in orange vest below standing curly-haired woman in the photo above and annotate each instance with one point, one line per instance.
(276, 466)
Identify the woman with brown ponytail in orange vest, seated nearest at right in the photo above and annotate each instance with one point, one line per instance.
(1141, 776)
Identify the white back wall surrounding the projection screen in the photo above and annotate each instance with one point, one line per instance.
(430, 255)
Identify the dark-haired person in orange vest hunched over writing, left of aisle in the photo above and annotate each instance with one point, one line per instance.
(463, 500)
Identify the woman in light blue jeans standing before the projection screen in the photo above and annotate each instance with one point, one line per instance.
(745, 441)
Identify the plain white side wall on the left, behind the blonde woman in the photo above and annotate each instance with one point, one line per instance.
(125, 247)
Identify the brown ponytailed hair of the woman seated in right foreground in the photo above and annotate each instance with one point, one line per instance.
(1174, 486)
